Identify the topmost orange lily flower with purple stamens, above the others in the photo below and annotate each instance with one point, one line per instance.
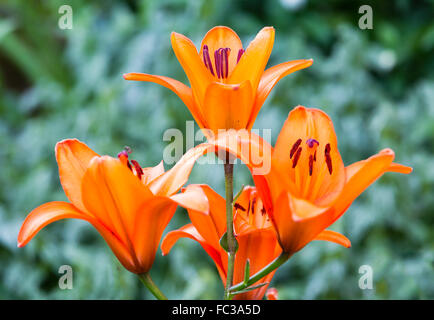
(228, 84)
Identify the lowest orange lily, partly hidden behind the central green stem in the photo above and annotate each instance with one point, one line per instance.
(253, 230)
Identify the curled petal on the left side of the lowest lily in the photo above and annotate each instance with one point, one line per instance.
(189, 231)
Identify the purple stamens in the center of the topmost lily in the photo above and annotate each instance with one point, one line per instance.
(221, 61)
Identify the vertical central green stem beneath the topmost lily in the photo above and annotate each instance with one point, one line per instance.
(229, 186)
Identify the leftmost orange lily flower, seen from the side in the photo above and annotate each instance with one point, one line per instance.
(130, 206)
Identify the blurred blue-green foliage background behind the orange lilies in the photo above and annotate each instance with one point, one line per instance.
(377, 85)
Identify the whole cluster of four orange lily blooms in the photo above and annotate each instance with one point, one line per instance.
(305, 191)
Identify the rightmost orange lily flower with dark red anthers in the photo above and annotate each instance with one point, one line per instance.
(308, 187)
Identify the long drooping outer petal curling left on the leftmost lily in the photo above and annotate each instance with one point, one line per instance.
(57, 210)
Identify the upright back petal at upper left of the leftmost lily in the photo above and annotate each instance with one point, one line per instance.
(73, 158)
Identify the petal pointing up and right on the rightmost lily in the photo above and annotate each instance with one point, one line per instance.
(360, 175)
